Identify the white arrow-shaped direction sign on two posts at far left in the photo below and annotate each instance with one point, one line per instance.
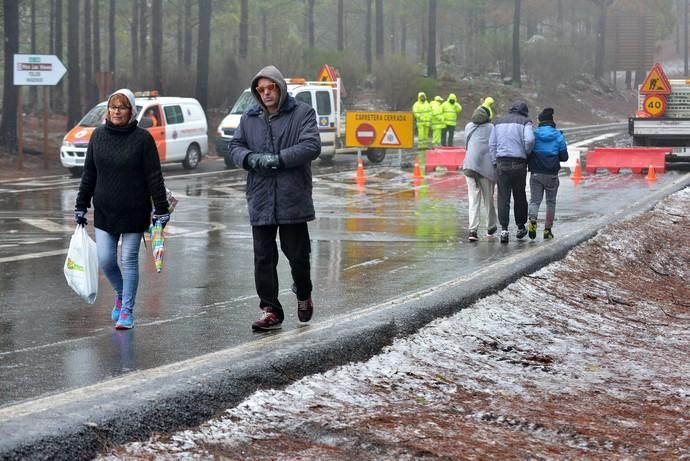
(35, 70)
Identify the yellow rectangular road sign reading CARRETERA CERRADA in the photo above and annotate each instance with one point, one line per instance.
(388, 130)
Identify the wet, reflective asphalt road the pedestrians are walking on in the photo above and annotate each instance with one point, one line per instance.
(376, 244)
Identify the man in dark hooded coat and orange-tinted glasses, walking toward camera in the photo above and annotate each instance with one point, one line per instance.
(276, 141)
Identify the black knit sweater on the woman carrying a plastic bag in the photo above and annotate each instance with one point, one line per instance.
(122, 173)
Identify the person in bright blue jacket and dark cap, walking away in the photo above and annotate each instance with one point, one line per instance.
(543, 163)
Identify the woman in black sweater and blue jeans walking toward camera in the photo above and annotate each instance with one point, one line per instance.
(122, 174)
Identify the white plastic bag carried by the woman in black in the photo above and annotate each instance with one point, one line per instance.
(81, 265)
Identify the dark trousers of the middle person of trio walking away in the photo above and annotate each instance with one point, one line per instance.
(512, 179)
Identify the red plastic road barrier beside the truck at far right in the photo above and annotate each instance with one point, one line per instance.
(636, 159)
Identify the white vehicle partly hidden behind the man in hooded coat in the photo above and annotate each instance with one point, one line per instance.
(324, 97)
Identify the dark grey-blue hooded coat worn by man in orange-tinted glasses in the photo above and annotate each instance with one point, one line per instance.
(282, 196)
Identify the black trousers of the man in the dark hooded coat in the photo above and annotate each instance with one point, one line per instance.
(296, 246)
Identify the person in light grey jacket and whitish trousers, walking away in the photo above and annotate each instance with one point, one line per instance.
(480, 173)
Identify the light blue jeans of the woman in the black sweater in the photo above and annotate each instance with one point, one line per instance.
(125, 281)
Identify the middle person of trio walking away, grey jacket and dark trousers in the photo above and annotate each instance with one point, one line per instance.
(510, 143)
